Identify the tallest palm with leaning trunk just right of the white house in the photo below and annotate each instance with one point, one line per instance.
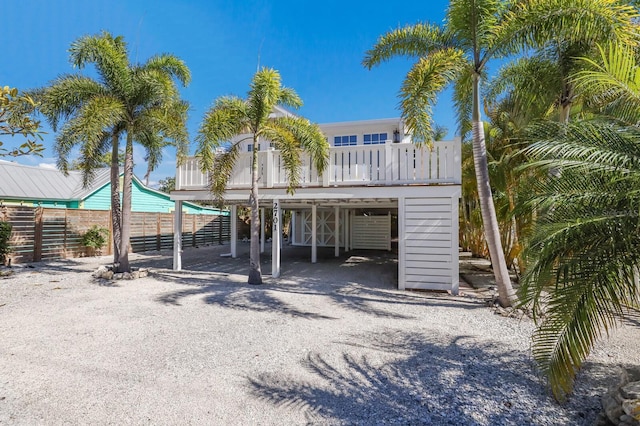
(474, 32)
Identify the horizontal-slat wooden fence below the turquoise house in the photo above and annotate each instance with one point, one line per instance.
(47, 234)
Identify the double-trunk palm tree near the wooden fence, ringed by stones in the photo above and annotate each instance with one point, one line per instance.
(140, 101)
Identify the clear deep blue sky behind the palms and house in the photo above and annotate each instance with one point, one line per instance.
(317, 46)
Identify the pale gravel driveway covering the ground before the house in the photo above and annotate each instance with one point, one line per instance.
(328, 343)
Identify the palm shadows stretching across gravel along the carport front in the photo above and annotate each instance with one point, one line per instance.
(220, 289)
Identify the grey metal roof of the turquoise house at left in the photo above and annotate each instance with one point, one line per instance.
(28, 182)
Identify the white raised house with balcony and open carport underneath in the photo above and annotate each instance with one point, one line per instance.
(374, 167)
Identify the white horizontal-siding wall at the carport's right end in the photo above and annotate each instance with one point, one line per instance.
(429, 243)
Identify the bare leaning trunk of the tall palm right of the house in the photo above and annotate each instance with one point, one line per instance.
(506, 295)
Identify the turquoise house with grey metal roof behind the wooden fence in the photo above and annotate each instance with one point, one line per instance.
(43, 187)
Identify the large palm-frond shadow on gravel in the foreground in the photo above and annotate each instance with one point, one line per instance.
(438, 380)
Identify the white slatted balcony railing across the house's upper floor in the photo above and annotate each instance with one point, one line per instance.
(361, 165)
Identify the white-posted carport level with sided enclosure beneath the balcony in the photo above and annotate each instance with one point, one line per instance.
(427, 226)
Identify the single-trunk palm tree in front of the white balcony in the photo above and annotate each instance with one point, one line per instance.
(231, 117)
